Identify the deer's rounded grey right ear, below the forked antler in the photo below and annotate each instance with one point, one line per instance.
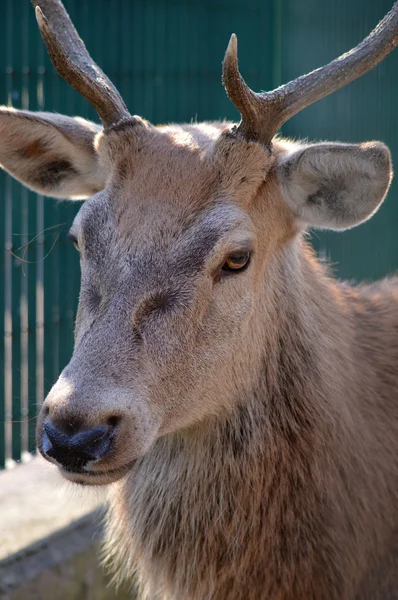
(335, 186)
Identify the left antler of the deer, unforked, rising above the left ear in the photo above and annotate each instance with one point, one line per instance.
(72, 61)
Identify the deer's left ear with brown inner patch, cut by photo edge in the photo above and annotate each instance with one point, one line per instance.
(51, 154)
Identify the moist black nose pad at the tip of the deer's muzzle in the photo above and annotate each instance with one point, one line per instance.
(73, 450)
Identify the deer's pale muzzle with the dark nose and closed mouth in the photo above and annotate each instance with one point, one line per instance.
(94, 432)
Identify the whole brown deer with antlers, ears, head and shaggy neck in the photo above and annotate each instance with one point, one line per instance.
(239, 403)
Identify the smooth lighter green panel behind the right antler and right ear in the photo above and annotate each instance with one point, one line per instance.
(365, 110)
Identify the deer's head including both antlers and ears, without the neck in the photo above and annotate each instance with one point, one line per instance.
(182, 239)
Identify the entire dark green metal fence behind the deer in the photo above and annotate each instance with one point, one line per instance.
(165, 57)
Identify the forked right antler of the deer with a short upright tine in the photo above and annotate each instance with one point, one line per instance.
(263, 114)
